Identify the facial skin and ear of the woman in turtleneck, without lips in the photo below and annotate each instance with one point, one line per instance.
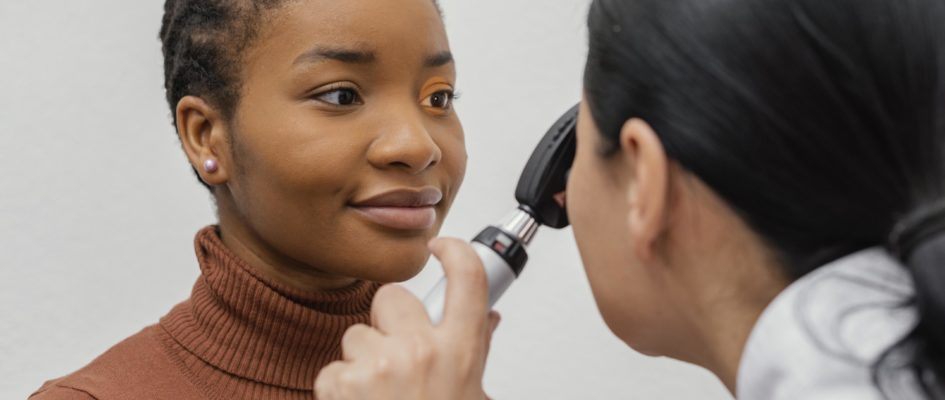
(340, 101)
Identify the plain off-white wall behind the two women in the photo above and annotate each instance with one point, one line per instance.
(98, 207)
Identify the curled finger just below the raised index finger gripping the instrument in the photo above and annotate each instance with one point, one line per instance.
(396, 310)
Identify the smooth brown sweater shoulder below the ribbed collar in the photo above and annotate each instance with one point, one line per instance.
(135, 368)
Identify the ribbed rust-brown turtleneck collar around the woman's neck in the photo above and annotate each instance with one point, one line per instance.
(251, 327)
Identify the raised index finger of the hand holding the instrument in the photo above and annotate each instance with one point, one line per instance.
(467, 291)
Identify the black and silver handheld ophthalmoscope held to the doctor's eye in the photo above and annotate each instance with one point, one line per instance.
(503, 247)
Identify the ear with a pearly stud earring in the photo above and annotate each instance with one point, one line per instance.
(203, 135)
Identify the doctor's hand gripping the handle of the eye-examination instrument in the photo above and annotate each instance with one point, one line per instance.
(404, 356)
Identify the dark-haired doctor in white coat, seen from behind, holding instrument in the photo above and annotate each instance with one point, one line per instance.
(759, 189)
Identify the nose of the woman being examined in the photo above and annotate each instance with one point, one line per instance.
(406, 145)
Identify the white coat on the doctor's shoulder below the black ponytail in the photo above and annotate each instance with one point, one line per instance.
(821, 336)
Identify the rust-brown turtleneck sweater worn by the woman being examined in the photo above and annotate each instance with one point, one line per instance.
(239, 336)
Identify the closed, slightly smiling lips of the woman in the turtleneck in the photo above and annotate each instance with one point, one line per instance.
(402, 209)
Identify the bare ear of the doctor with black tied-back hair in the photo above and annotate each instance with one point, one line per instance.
(648, 191)
